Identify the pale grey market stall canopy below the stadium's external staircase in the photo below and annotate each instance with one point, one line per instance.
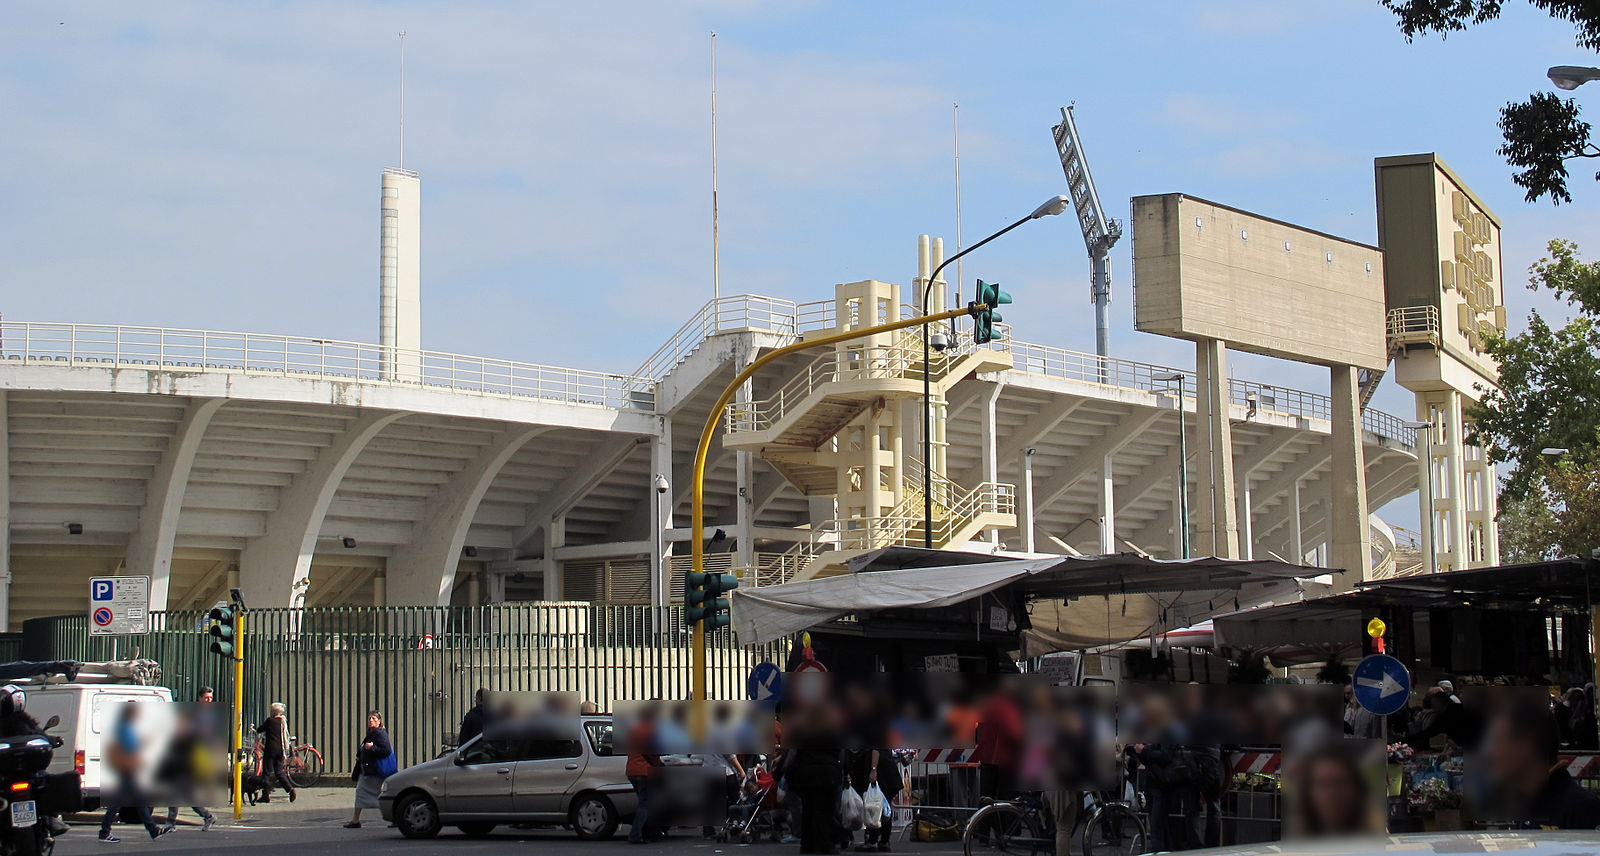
(1074, 602)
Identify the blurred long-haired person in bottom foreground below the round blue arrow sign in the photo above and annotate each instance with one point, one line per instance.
(1334, 798)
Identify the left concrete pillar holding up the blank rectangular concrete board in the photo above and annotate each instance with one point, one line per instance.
(1215, 519)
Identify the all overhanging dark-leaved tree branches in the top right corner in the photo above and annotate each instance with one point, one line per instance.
(1542, 134)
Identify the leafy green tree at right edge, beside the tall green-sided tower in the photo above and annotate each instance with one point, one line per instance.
(1550, 386)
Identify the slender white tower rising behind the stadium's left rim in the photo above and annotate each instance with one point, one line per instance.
(399, 276)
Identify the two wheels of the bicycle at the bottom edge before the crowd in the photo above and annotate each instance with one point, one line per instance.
(1022, 826)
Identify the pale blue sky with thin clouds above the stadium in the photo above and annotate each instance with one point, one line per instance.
(215, 166)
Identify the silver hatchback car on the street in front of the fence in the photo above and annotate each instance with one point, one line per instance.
(554, 772)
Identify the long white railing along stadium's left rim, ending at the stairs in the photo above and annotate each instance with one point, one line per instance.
(174, 350)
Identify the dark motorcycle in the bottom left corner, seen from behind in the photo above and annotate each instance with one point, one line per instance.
(30, 796)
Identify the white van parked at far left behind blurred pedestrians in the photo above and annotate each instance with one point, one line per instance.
(87, 713)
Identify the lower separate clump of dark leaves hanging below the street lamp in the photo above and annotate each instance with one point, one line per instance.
(1542, 137)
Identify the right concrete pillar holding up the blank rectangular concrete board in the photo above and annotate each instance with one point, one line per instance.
(1350, 532)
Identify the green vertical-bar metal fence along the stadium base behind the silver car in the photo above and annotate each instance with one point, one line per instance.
(417, 665)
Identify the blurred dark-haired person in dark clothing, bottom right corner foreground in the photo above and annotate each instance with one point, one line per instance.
(1527, 783)
